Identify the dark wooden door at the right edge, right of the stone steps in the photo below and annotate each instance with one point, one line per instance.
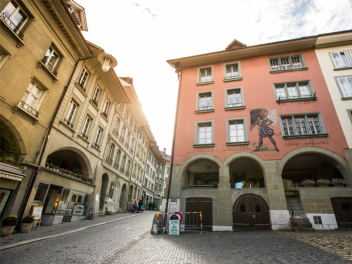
(343, 211)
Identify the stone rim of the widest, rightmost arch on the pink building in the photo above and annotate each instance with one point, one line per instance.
(325, 154)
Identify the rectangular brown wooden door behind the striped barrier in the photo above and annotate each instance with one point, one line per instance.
(197, 204)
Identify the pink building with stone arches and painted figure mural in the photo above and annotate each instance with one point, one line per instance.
(254, 122)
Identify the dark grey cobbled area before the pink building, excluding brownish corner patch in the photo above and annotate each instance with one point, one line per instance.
(223, 247)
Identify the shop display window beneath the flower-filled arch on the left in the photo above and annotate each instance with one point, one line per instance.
(73, 203)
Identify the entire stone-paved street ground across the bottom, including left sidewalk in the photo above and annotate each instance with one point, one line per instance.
(128, 240)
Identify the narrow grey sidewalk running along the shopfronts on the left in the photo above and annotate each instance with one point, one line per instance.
(58, 229)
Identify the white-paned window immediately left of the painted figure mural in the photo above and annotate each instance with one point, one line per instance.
(236, 130)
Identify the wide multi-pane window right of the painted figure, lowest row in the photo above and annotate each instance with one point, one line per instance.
(302, 125)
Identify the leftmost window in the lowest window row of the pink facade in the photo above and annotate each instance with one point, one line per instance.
(204, 134)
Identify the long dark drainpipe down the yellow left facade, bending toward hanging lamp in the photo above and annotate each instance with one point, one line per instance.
(35, 174)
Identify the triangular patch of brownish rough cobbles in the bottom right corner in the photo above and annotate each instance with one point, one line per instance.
(337, 242)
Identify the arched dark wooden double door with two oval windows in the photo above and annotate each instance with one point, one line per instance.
(250, 212)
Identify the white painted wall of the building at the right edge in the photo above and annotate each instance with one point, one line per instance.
(341, 106)
